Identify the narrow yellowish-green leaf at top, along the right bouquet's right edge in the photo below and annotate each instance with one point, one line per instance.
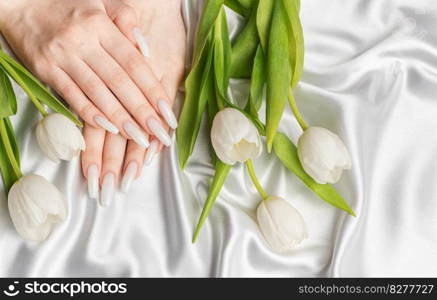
(296, 42)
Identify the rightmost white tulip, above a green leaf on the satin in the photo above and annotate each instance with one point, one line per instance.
(323, 155)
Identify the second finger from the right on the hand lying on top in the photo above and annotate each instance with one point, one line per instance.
(127, 92)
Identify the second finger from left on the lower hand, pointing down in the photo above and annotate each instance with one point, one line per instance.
(112, 162)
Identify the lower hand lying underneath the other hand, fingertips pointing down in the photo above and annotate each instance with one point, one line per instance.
(107, 156)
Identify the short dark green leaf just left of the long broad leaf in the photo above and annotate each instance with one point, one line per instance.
(257, 83)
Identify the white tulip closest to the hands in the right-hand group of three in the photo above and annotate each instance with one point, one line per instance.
(234, 137)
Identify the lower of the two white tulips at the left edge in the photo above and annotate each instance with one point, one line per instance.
(35, 205)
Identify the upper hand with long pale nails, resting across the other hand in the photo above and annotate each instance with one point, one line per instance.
(75, 48)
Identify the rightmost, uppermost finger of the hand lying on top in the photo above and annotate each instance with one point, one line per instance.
(131, 60)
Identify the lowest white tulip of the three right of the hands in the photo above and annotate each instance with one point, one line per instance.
(282, 224)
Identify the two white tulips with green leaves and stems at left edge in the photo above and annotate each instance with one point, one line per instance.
(35, 204)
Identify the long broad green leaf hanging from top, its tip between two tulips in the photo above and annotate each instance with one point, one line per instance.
(278, 72)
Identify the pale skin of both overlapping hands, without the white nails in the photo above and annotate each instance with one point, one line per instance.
(85, 50)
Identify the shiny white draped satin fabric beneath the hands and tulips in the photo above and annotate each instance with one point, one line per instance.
(370, 76)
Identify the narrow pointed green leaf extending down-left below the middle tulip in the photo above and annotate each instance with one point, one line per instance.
(221, 172)
